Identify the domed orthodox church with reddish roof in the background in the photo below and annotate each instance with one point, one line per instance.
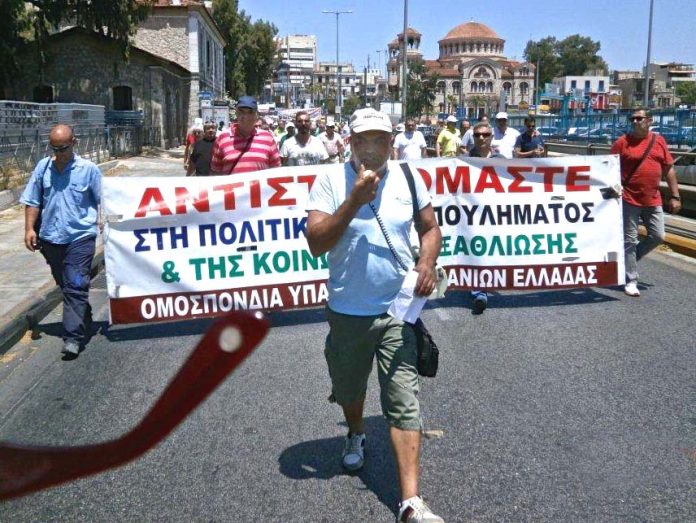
(473, 72)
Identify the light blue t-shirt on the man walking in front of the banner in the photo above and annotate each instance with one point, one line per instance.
(364, 277)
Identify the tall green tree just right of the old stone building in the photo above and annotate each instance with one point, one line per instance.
(250, 54)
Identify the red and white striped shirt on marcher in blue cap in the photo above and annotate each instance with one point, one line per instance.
(262, 152)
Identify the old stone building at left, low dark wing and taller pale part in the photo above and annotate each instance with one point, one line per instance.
(176, 53)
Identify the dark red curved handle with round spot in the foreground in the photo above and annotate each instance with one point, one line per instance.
(228, 342)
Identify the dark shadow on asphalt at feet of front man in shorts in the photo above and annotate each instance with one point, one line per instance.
(321, 459)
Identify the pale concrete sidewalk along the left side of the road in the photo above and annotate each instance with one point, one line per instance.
(28, 290)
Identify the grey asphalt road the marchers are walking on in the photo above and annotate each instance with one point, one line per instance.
(555, 406)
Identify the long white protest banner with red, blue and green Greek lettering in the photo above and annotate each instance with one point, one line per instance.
(178, 248)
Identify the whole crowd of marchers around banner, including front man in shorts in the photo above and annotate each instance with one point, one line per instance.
(355, 216)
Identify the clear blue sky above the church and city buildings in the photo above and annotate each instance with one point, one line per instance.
(621, 26)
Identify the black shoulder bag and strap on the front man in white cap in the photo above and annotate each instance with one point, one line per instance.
(428, 353)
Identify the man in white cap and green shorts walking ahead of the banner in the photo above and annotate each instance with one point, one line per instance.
(364, 279)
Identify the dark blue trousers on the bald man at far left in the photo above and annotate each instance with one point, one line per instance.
(70, 266)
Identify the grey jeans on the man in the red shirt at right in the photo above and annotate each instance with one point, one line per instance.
(654, 221)
